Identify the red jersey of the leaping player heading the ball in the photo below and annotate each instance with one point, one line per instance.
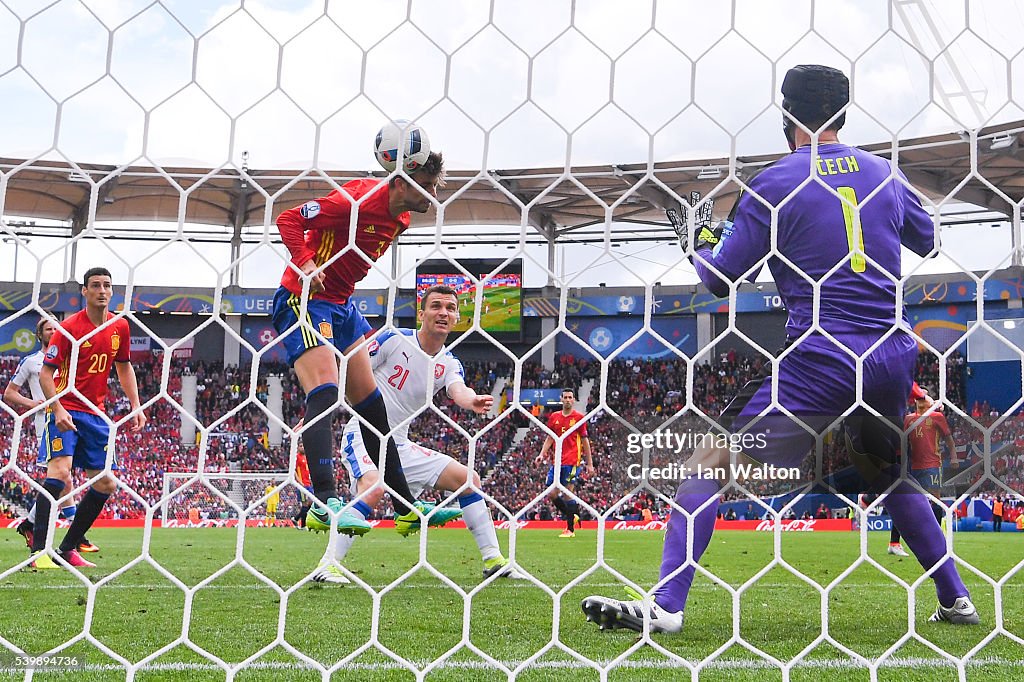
(320, 229)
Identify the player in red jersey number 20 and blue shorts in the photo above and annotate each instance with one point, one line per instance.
(76, 433)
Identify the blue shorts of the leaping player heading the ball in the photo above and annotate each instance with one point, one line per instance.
(340, 324)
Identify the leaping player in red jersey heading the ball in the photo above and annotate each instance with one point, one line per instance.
(316, 234)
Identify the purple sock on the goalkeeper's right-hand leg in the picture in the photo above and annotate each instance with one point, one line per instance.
(913, 516)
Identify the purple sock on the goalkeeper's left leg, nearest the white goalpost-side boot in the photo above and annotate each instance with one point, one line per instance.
(693, 493)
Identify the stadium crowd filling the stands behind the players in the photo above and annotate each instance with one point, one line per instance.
(642, 397)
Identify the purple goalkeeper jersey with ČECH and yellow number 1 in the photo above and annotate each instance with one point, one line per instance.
(817, 231)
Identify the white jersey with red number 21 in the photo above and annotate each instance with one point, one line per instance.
(403, 373)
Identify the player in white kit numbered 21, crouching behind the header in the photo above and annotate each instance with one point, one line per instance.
(411, 367)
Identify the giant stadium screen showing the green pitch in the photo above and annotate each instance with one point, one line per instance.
(502, 292)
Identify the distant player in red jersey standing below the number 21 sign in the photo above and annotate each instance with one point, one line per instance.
(570, 427)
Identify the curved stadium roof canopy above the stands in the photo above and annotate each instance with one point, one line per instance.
(938, 166)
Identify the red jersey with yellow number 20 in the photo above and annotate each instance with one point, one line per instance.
(96, 358)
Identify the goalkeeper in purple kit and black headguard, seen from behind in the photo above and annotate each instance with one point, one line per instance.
(839, 216)
